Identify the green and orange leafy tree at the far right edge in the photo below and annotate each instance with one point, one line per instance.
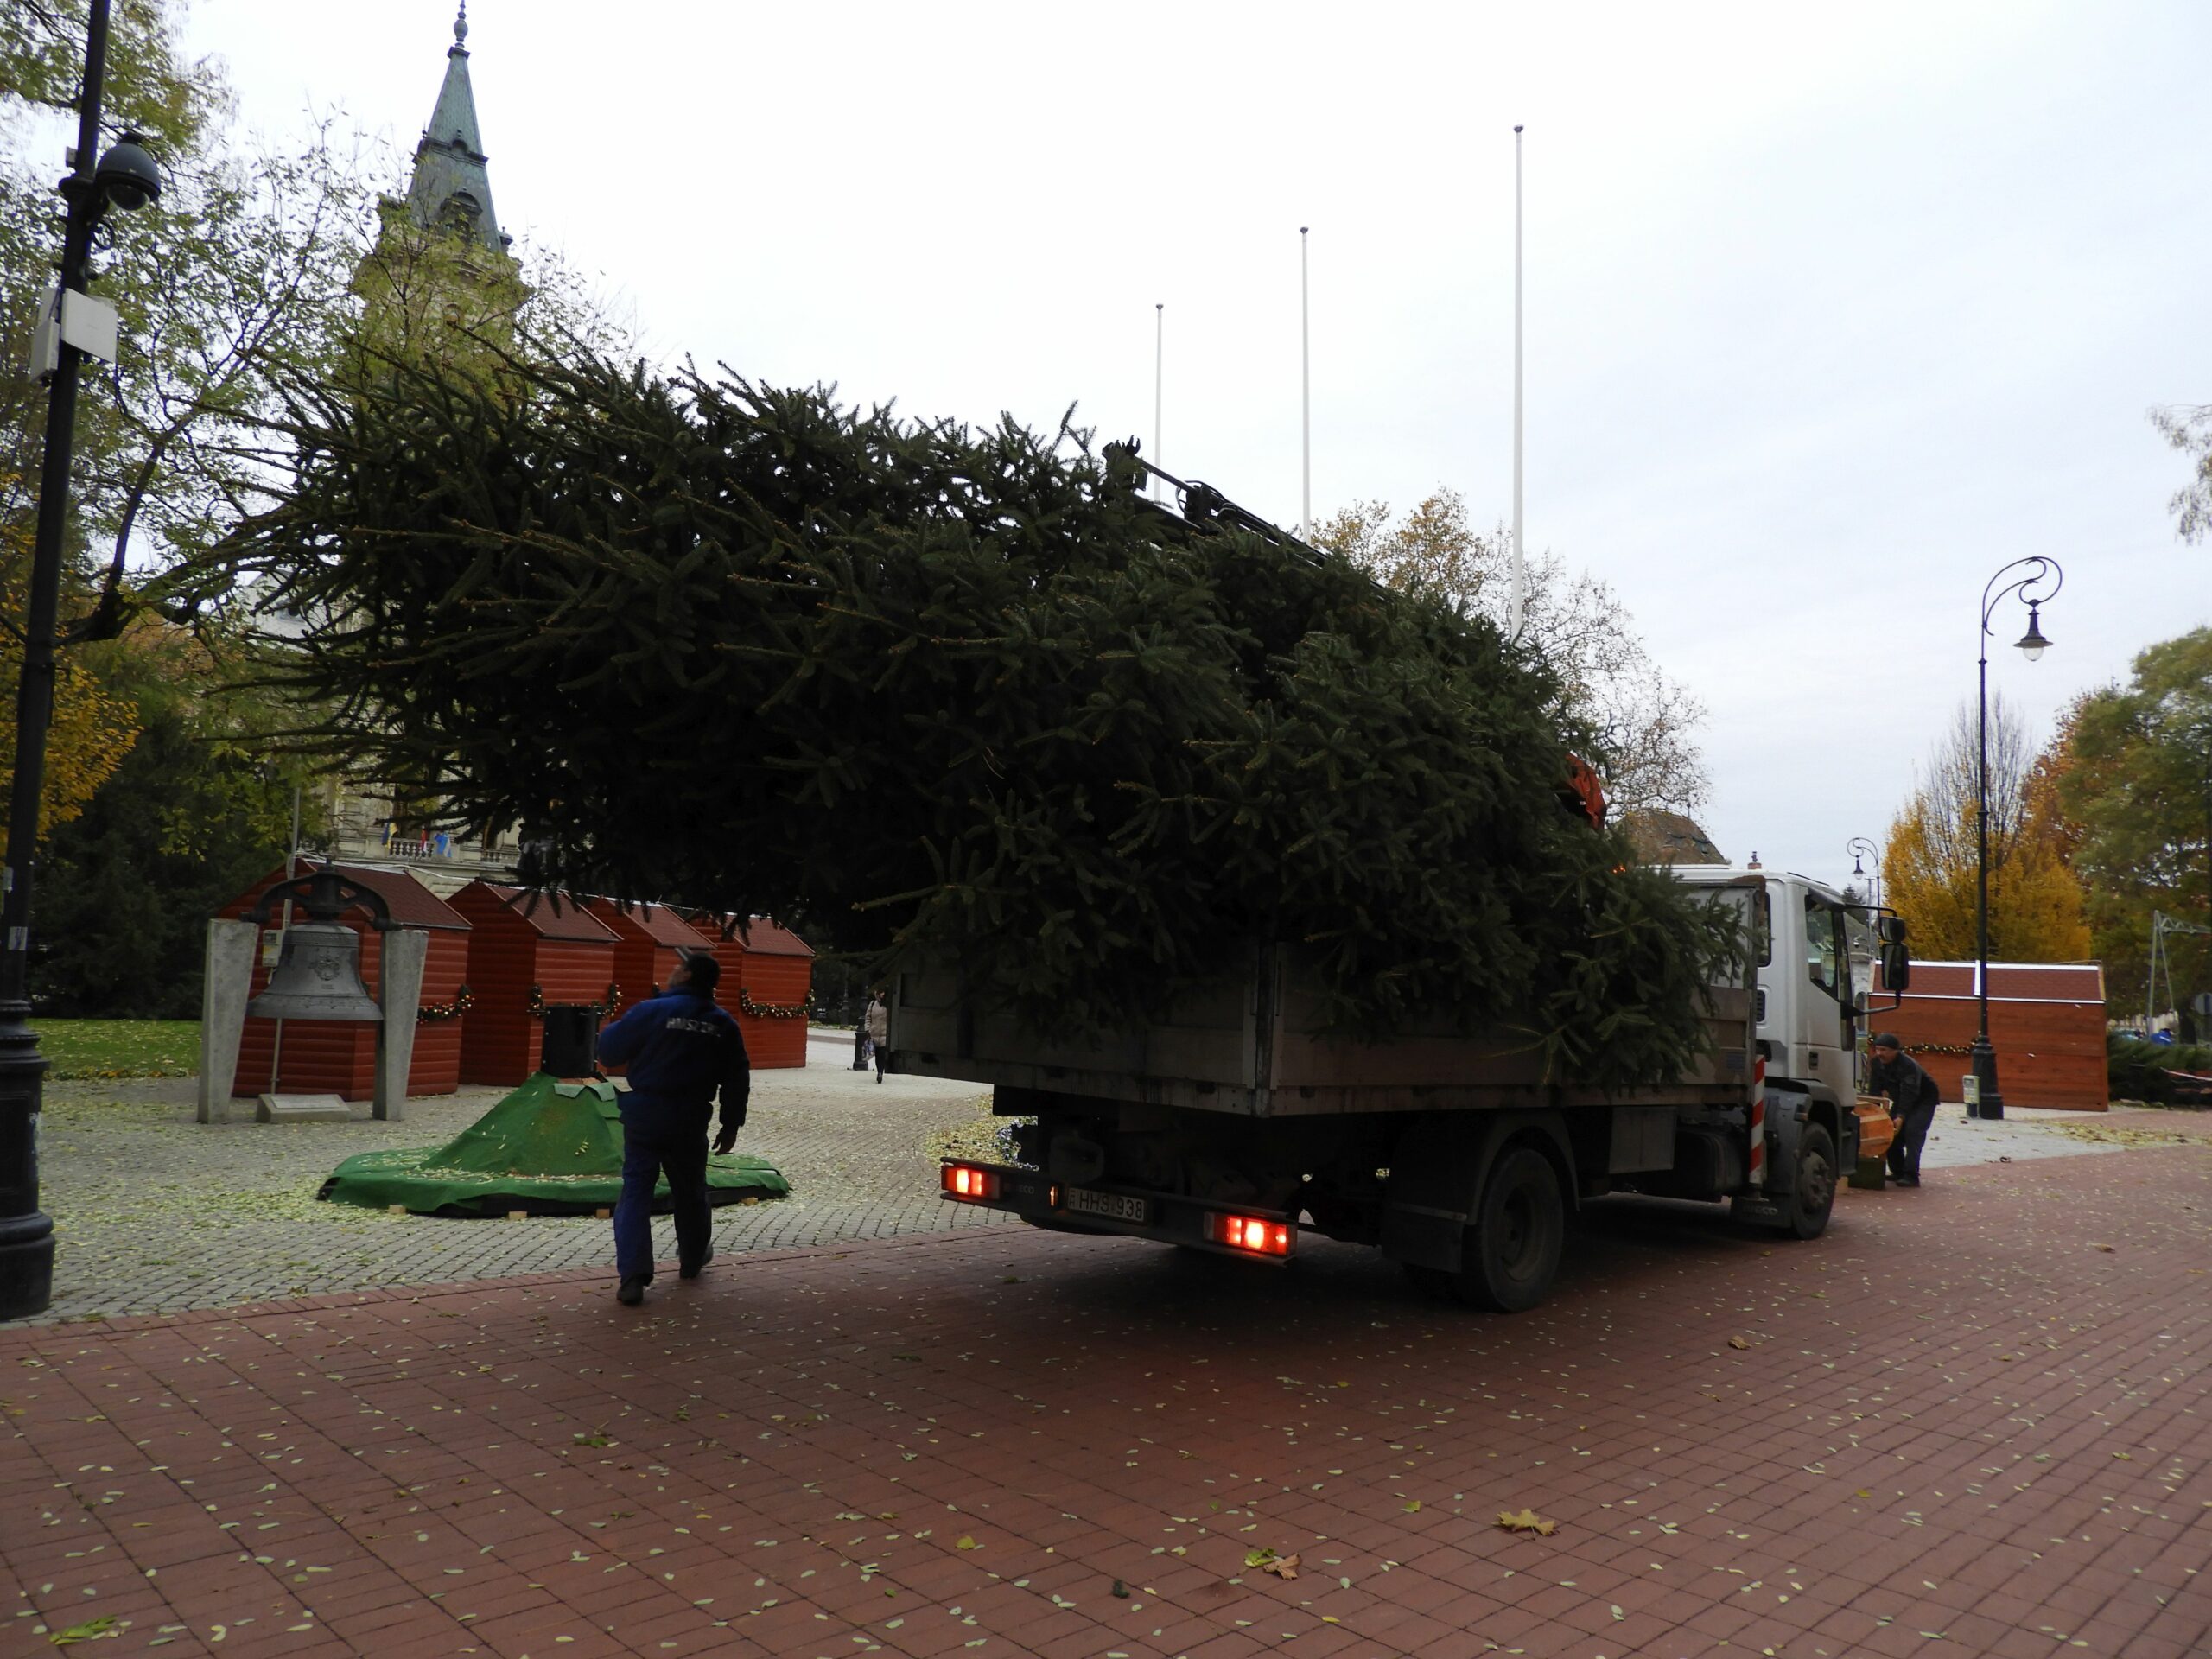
(2138, 784)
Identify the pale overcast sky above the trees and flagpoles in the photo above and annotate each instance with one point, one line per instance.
(1833, 311)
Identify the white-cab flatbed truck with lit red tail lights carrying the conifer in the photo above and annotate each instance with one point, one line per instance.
(1238, 1125)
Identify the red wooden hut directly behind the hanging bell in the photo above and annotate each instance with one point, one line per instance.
(340, 1056)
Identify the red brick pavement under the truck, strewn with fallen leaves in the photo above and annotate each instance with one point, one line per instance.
(1974, 1419)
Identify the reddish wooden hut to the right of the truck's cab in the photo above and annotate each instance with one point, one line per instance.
(2045, 1021)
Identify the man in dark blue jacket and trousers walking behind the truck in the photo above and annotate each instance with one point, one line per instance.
(678, 1050)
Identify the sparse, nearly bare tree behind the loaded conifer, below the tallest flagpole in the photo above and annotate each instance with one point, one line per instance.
(1640, 720)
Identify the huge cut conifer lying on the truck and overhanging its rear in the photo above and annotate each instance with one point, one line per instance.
(718, 640)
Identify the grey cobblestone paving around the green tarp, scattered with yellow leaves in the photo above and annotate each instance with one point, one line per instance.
(156, 1213)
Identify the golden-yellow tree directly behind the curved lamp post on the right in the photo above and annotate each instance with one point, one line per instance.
(1930, 862)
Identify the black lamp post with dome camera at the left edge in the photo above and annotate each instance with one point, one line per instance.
(125, 178)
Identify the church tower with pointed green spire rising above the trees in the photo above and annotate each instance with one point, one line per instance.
(441, 271)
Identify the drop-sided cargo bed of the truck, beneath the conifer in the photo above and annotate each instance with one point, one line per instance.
(1253, 1045)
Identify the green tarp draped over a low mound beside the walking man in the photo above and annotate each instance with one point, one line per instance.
(550, 1149)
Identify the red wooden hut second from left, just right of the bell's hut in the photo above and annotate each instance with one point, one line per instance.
(528, 950)
